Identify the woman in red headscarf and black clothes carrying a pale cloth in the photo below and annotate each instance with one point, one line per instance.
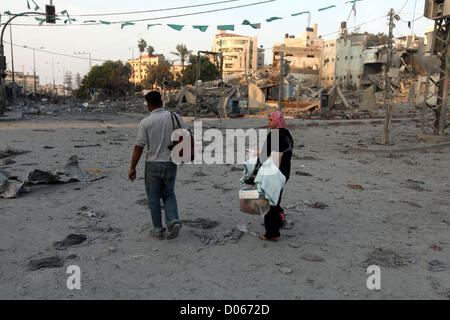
(274, 219)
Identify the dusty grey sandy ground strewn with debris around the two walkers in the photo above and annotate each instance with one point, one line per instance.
(120, 261)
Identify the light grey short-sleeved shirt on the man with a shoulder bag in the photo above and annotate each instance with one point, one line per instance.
(155, 132)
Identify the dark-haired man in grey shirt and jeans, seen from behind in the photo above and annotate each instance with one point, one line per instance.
(155, 132)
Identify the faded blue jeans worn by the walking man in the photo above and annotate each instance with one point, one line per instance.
(160, 184)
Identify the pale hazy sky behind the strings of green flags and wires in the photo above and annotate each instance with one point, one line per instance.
(110, 42)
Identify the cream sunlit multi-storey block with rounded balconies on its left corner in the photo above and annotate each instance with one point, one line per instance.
(241, 54)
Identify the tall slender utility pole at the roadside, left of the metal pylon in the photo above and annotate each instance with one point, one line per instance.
(387, 102)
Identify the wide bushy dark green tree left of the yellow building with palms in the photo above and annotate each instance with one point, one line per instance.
(112, 78)
